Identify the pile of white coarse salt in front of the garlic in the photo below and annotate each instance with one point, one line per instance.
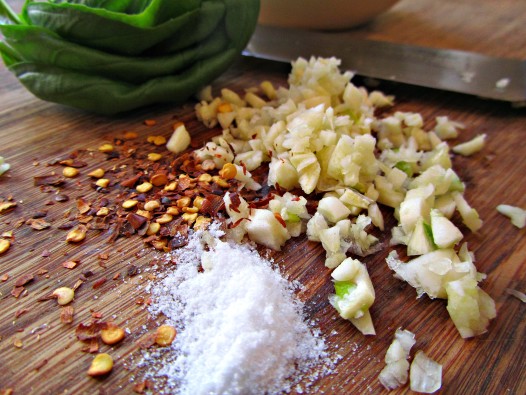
(241, 329)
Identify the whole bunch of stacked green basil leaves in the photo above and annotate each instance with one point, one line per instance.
(111, 56)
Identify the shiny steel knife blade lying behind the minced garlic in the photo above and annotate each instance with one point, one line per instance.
(446, 69)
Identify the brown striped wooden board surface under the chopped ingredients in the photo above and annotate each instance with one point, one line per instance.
(41, 355)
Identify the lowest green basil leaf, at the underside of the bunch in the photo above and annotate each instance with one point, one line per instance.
(106, 96)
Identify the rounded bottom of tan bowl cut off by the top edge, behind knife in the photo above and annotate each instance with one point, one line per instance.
(321, 14)
